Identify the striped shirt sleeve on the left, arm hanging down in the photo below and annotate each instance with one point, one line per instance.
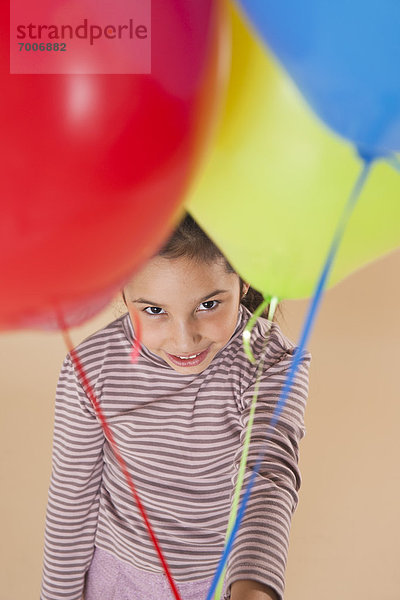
(73, 499)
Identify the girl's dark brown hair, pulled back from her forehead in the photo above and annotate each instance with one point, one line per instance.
(191, 241)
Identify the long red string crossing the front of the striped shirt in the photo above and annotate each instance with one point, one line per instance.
(109, 435)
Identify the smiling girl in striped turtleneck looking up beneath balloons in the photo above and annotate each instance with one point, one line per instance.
(179, 416)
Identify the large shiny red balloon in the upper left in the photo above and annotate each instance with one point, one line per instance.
(94, 168)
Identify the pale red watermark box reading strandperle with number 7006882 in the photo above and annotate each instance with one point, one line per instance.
(80, 36)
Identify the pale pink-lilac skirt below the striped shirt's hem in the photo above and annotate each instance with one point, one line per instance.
(109, 578)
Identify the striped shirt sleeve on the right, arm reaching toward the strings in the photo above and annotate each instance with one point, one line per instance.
(261, 546)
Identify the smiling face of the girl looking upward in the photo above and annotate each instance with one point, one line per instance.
(186, 309)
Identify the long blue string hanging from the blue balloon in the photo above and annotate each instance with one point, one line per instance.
(297, 357)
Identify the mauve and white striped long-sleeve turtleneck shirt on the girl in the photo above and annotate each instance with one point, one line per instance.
(181, 437)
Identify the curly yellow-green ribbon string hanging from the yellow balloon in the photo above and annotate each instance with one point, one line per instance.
(273, 302)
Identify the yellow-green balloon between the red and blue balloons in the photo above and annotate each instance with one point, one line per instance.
(276, 181)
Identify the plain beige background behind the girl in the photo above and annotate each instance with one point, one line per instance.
(345, 541)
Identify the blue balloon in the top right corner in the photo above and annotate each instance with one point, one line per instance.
(344, 56)
